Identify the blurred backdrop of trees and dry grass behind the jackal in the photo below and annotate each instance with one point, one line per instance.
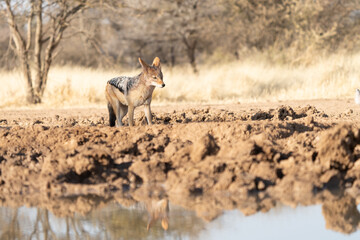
(211, 50)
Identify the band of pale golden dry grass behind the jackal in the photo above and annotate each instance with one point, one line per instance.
(336, 76)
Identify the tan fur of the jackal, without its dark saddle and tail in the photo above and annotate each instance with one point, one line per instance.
(139, 94)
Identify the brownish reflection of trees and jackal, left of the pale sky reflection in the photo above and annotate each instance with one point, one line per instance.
(111, 222)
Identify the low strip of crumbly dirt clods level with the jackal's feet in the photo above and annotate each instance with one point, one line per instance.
(78, 118)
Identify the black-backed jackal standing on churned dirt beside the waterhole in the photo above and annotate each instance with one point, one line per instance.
(124, 94)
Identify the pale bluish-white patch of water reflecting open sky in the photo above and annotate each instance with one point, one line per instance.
(281, 223)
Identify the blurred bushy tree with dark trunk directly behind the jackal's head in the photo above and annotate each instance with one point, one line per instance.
(174, 29)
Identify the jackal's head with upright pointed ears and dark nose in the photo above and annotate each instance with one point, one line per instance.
(153, 75)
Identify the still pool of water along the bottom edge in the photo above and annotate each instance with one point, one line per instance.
(115, 221)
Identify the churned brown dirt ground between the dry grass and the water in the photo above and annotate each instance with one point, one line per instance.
(207, 158)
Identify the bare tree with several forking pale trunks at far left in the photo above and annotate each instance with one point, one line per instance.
(35, 48)
